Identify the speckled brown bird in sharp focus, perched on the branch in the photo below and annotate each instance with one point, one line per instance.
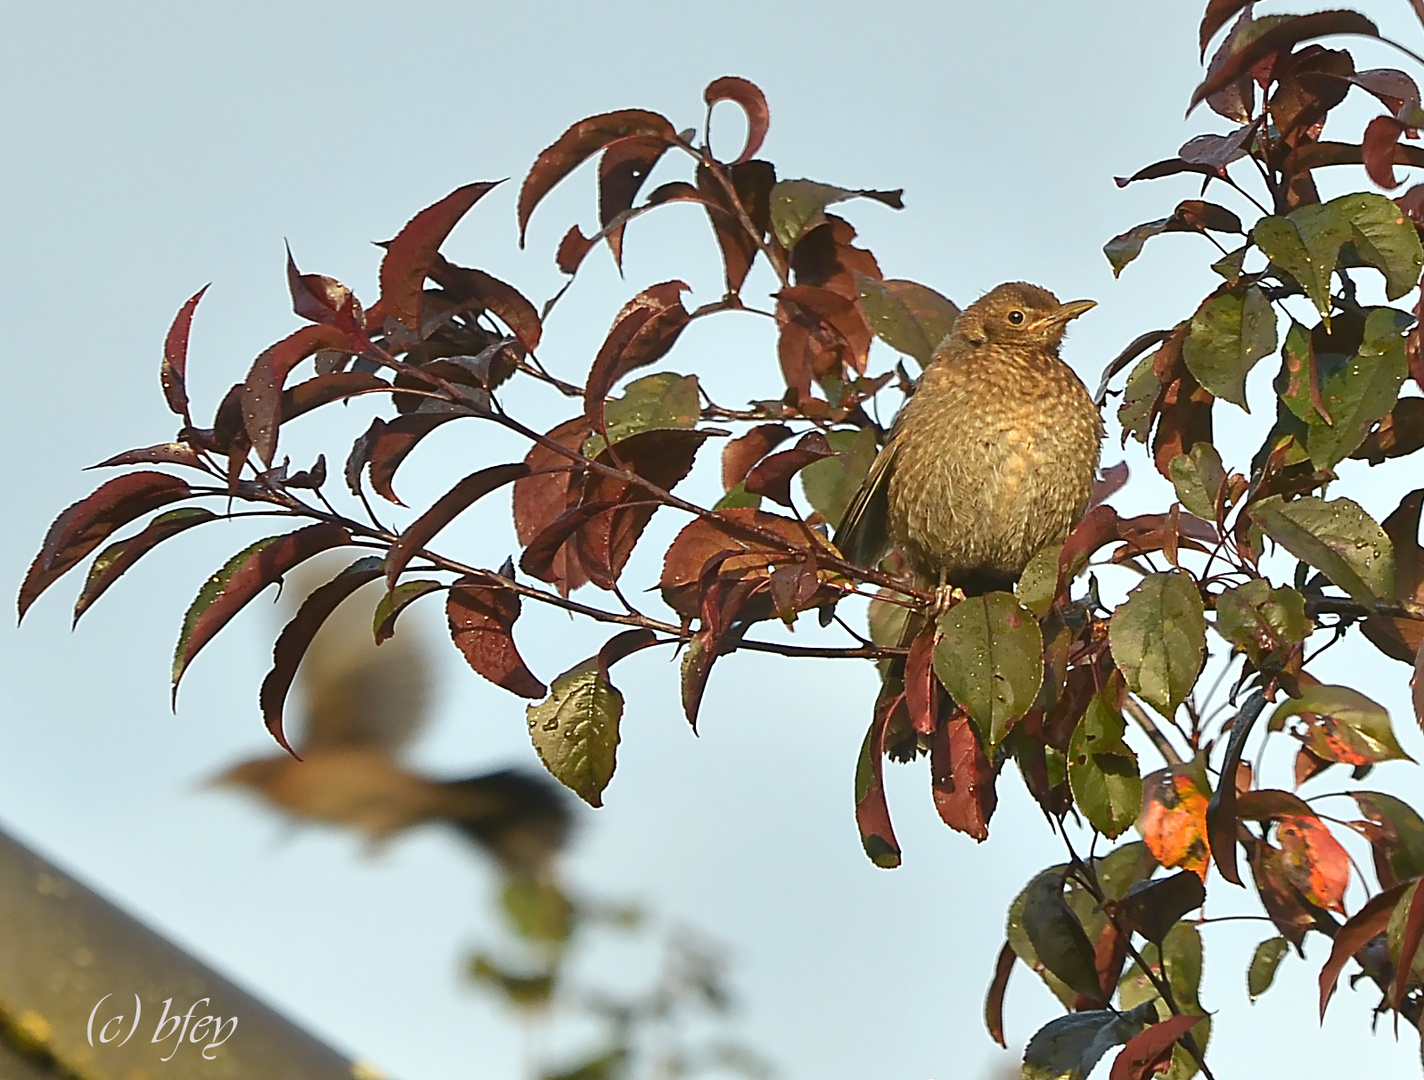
(992, 459)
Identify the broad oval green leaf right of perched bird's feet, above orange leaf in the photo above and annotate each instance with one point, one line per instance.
(1158, 638)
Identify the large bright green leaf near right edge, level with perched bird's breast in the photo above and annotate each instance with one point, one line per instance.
(1358, 393)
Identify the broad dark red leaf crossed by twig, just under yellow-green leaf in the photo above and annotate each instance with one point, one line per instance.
(660, 457)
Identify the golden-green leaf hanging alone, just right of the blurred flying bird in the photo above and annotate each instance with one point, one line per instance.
(576, 730)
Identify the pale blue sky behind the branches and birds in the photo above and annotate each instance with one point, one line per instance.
(153, 147)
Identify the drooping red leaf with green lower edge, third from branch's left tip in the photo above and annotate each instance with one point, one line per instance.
(240, 581)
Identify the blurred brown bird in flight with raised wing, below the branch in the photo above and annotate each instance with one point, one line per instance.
(361, 707)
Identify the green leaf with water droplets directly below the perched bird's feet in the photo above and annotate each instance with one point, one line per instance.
(990, 658)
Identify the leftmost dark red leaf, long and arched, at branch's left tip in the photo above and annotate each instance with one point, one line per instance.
(92, 521)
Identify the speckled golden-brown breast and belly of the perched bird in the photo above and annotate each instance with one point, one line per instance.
(996, 461)
